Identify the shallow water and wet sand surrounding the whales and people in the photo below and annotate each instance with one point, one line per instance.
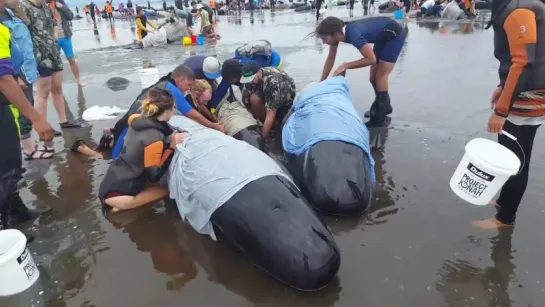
(415, 247)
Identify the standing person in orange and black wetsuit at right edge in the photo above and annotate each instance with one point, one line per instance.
(519, 99)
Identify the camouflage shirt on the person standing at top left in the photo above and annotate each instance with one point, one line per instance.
(41, 27)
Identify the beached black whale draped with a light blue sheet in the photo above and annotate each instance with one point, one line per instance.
(327, 149)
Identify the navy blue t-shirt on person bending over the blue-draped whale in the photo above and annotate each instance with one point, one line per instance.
(365, 31)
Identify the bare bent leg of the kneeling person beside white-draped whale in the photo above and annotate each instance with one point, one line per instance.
(149, 195)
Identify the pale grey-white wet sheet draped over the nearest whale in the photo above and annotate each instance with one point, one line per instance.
(210, 167)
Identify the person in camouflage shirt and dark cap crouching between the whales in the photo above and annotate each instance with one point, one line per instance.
(268, 94)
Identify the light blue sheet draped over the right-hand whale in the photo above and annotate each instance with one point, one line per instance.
(324, 112)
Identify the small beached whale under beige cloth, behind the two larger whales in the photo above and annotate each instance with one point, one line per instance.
(240, 123)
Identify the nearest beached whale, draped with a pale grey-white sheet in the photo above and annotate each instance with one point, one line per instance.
(228, 188)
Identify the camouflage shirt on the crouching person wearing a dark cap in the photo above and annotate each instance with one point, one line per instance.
(276, 88)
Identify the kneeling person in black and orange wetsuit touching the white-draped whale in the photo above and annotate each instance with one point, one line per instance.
(132, 179)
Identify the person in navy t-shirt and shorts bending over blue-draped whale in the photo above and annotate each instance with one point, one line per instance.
(388, 37)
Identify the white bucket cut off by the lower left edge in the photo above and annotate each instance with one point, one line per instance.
(18, 270)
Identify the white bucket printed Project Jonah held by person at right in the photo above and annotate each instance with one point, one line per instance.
(484, 169)
